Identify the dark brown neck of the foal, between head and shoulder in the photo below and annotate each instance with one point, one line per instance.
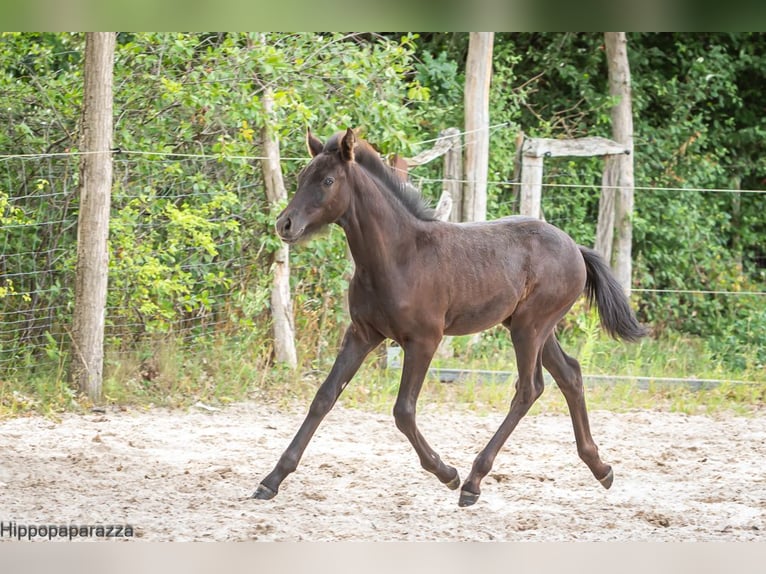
(379, 229)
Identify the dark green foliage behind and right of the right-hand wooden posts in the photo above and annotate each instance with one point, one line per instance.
(693, 100)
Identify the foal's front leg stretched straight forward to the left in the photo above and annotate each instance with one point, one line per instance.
(354, 349)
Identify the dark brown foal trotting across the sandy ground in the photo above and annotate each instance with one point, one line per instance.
(418, 278)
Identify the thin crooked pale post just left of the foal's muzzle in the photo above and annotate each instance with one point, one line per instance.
(281, 302)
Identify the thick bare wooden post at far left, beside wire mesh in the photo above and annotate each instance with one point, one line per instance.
(93, 220)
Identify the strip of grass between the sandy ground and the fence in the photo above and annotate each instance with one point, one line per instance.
(226, 370)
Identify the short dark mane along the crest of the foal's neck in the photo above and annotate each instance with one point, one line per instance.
(368, 158)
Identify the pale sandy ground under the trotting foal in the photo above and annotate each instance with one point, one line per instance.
(187, 475)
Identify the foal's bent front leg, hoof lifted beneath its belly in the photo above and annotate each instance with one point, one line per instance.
(417, 358)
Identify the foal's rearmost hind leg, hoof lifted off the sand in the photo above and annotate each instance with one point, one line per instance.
(566, 372)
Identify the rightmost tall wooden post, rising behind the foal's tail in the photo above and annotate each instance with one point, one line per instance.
(622, 130)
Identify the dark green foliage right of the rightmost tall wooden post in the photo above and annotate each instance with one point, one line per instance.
(695, 241)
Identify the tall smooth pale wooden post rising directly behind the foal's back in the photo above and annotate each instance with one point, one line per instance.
(477, 80)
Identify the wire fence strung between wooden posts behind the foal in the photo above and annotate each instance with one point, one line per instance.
(189, 253)
